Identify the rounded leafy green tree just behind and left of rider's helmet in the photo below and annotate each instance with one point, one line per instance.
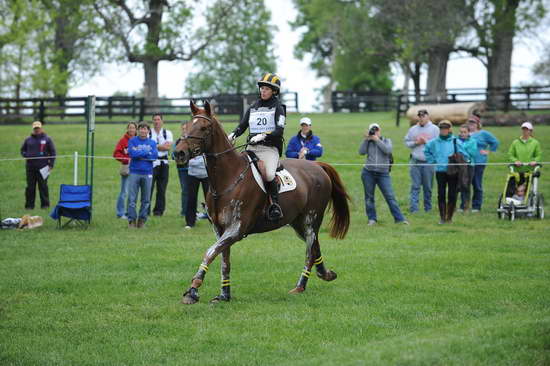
(236, 59)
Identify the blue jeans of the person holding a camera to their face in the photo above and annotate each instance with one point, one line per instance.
(383, 180)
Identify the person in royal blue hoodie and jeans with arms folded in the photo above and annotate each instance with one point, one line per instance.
(142, 151)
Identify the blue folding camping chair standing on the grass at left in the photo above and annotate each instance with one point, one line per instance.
(75, 202)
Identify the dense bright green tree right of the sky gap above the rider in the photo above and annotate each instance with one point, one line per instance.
(332, 37)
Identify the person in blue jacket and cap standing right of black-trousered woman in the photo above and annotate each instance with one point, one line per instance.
(486, 142)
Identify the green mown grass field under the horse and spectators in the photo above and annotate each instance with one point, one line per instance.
(476, 292)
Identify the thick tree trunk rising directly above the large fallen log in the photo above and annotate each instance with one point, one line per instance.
(437, 73)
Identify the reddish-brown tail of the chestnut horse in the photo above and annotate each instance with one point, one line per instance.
(339, 222)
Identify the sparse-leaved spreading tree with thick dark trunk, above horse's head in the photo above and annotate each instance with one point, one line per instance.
(152, 31)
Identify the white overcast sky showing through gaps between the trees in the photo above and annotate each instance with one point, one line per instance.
(296, 74)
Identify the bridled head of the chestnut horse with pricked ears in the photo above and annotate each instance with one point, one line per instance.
(197, 139)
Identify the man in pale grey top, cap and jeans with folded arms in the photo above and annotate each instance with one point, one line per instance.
(421, 174)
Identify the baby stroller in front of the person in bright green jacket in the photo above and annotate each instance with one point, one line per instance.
(530, 204)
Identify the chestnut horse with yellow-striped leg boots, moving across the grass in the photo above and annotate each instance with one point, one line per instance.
(237, 204)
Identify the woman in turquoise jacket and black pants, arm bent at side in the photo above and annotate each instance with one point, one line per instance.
(437, 151)
